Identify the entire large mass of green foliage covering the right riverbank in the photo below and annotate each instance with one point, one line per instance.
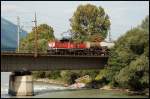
(128, 65)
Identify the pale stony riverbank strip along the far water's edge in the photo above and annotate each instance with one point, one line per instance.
(106, 87)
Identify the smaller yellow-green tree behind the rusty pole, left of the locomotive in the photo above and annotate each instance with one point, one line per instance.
(45, 33)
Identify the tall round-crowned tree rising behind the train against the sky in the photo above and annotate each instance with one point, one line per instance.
(89, 23)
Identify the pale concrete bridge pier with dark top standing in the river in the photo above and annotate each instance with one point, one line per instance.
(20, 84)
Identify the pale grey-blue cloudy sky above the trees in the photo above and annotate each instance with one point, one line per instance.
(124, 15)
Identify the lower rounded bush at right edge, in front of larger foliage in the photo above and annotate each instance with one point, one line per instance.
(135, 75)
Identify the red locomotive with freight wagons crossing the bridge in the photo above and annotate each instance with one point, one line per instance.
(67, 47)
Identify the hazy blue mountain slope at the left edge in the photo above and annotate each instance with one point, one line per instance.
(9, 35)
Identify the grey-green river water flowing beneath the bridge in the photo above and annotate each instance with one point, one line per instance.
(44, 90)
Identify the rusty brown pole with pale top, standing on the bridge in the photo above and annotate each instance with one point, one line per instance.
(36, 37)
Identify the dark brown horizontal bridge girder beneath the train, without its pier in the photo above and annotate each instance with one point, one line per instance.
(18, 61)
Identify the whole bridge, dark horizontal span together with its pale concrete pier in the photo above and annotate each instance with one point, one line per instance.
(22, 83)
